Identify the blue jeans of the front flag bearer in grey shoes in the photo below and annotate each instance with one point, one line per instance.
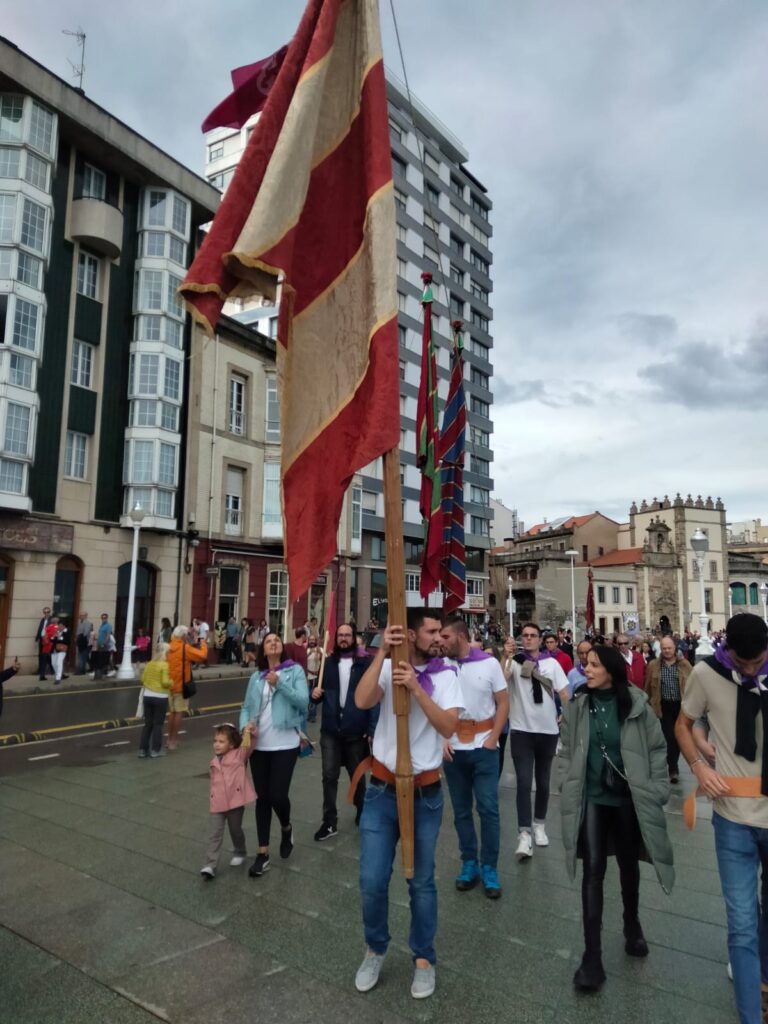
(379, 835)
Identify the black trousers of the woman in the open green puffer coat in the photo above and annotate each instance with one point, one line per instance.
(619, 826)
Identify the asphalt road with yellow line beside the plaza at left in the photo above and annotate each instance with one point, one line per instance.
(79, 728)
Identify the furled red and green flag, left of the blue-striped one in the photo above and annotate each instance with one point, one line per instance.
(428, 432)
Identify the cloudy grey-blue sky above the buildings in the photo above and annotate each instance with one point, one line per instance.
(624, 145)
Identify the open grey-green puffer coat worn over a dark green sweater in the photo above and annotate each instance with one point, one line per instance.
(645, 756)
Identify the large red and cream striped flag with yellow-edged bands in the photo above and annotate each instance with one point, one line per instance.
(312, 203)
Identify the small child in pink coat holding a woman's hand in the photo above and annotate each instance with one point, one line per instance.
(231, 791)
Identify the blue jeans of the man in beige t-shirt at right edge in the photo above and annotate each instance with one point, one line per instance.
(741, 849)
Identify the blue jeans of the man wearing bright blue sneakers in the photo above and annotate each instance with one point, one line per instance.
(476, 774)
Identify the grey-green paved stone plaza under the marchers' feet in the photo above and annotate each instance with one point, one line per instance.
(105, 918)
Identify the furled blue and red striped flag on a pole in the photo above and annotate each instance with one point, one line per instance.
(453, 568)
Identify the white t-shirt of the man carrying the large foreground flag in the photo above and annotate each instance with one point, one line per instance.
(426, 743)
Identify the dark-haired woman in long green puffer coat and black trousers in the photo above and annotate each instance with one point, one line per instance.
(615, 785)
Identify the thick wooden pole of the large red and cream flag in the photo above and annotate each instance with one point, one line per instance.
(397, 616)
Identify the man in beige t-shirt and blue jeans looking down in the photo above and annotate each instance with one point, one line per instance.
(731, 690)
